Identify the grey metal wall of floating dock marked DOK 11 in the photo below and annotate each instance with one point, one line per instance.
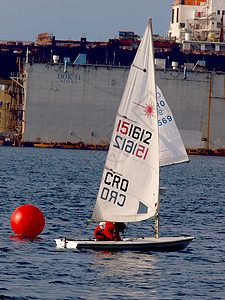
(78, 103)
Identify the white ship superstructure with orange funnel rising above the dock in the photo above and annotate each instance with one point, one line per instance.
(198, 20)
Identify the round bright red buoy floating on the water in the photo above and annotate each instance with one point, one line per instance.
(27, 221)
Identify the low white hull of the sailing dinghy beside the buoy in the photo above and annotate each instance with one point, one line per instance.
(134, 244)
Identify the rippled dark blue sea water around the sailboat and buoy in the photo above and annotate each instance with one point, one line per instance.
(64, 185)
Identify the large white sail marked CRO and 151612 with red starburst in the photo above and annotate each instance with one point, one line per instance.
(130, 182)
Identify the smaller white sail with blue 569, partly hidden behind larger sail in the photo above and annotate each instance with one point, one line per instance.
(171, 147)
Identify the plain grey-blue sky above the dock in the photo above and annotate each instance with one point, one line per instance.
(97, 20)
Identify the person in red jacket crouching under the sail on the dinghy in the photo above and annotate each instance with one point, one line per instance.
(108, 231)
